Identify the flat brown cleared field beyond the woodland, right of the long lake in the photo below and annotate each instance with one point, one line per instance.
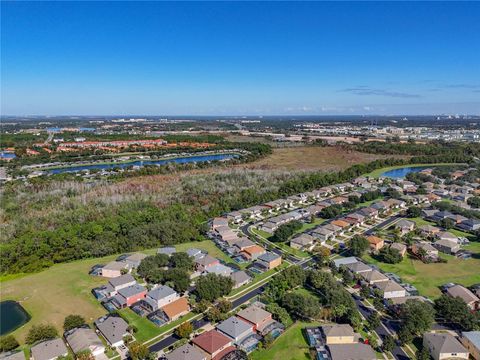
(312, 158)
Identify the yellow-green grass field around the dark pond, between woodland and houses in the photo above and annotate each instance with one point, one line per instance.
(49, 296)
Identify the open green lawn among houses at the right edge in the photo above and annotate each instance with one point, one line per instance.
(428, 277)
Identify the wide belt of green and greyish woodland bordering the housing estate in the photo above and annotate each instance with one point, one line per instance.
(56, 221)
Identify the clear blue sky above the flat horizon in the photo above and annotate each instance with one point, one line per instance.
(240, 58)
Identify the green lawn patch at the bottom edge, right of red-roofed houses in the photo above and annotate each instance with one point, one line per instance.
(290, 345)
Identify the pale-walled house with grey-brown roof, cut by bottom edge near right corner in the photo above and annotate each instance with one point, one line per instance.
(444, 346)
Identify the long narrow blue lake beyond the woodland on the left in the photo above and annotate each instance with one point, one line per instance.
(179, 160)
